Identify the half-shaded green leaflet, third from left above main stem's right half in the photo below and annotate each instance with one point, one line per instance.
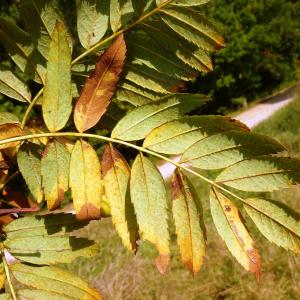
(227, 148)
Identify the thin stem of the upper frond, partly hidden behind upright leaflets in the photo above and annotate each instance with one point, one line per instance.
(94, 48)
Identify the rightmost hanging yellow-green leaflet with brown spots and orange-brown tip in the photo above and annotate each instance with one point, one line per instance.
(230, 227)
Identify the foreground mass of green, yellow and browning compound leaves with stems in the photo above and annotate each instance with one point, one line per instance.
(136, 196)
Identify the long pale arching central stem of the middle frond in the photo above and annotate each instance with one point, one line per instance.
(112, 140)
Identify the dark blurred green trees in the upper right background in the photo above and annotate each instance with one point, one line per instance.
(262, 50)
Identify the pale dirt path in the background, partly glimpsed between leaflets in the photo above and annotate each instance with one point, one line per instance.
(251, 117)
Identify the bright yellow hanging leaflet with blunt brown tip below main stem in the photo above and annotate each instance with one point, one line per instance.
(85, 181)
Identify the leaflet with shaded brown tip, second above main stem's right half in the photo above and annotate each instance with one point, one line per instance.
(177, 136)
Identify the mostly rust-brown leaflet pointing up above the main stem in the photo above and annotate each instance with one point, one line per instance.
(100, 86)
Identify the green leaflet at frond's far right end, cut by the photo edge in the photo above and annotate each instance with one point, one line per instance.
(275, 222)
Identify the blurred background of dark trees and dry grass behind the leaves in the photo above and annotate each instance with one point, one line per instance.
(260, 63)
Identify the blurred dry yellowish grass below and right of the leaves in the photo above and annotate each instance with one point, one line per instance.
(120, 276)
